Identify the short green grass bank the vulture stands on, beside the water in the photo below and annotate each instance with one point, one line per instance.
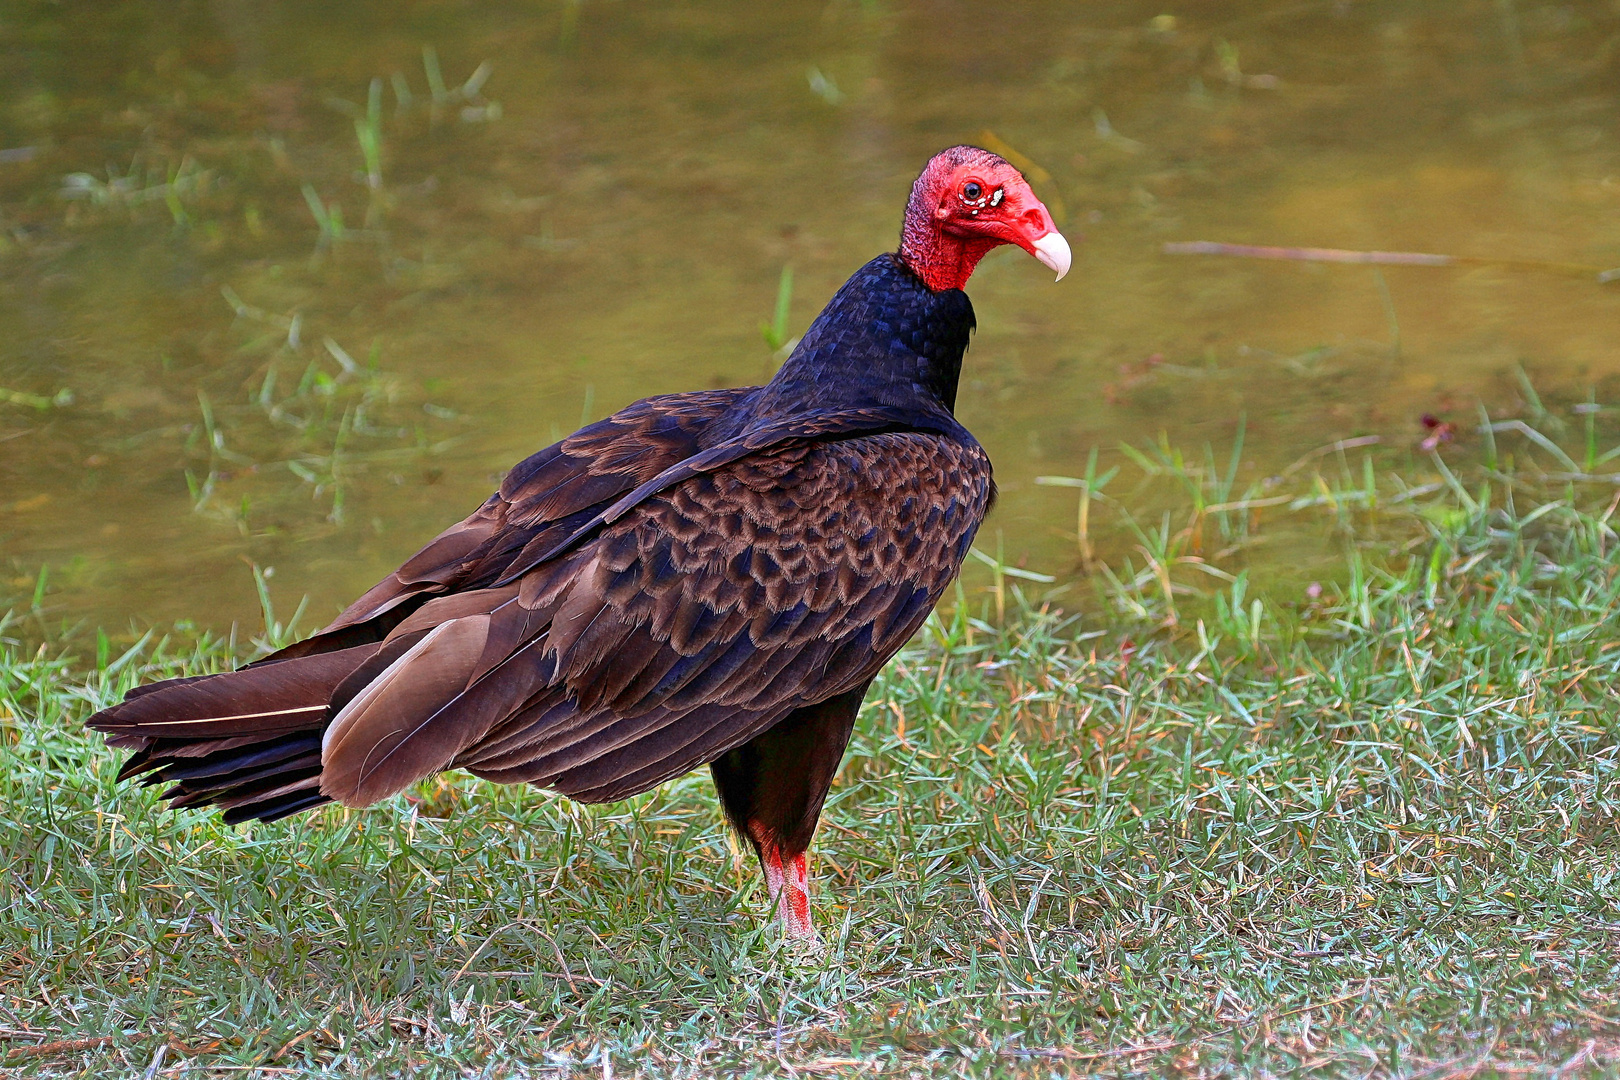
(1371, 833)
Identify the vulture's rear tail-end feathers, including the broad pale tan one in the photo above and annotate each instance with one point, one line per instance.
(351, 725)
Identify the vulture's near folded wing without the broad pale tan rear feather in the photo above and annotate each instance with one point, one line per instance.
(714, 610)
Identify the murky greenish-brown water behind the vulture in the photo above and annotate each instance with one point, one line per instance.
(605, 215)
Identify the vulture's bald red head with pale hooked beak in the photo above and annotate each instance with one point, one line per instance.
(965, 203)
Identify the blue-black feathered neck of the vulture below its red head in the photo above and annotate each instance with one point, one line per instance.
(885, 339)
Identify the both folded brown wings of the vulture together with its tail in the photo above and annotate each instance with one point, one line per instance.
(699, 610)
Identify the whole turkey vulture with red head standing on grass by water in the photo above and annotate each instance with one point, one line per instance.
(701, 579)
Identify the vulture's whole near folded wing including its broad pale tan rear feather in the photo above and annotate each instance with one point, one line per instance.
(697, 621)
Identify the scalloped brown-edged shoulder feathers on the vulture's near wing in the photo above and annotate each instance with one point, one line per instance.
(850, 530)
